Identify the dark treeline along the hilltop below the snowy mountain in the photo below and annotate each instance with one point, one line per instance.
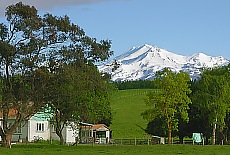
(138, 84)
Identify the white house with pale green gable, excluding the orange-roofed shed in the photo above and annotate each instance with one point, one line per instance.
(38, 127)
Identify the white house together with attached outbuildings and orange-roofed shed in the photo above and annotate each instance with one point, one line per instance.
(39, 127)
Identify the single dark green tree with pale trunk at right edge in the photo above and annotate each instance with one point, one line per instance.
(211, 98)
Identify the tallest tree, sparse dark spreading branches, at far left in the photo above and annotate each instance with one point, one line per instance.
(30, 48)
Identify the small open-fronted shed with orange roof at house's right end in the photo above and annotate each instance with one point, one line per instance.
(102, 134)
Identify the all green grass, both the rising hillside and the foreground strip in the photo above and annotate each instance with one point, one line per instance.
(127, 123)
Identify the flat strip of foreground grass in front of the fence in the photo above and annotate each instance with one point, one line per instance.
(116, 150)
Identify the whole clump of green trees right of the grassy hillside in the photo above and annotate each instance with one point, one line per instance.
(182, 106)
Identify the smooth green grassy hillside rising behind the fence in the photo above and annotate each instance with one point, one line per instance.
(127, 106)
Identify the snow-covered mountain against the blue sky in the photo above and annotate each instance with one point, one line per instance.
(143, 62)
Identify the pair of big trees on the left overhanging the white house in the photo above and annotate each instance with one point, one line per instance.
(49, 60)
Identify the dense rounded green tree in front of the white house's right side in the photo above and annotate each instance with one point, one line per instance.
(79, 95)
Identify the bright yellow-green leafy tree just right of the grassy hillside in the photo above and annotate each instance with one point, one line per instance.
(170, 100)
